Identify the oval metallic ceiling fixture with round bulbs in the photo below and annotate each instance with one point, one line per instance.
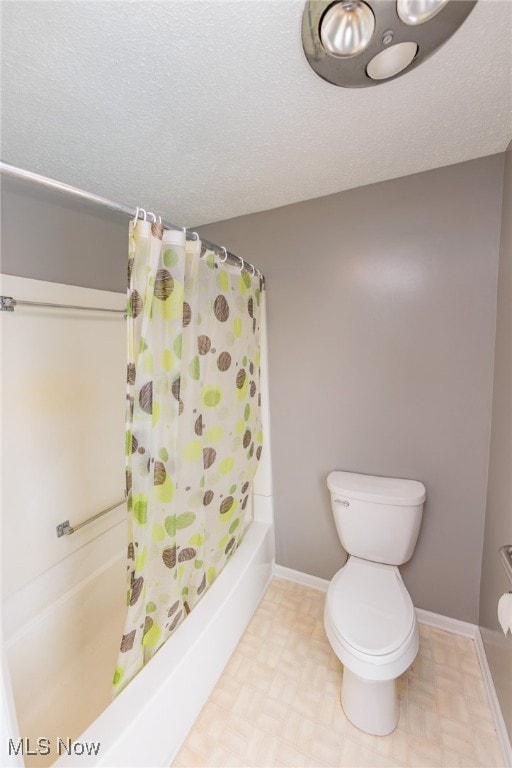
(356, 44)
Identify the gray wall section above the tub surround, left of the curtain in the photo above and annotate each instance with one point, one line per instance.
(49, 236)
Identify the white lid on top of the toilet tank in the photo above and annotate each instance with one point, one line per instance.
(378, 490)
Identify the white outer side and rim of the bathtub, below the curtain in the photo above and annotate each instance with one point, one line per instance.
(149, 720)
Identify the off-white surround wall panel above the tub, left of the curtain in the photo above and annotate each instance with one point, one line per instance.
(65, 403)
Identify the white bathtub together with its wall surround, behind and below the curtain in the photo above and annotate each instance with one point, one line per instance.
(72, 594)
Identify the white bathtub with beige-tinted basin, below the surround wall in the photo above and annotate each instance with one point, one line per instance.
(149, 720)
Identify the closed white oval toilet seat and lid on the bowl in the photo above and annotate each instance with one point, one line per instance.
(370, 619)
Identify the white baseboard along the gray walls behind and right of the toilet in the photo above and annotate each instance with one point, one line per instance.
(445, 623)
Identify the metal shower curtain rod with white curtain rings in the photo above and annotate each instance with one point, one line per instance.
(60, 186)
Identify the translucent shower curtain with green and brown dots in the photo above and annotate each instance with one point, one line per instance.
(193, 429)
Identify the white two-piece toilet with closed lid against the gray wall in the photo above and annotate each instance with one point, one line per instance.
(369, 617)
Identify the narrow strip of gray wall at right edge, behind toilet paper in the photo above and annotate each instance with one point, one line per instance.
(498, 518)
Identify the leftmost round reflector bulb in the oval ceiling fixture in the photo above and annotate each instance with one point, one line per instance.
(347, 28)
